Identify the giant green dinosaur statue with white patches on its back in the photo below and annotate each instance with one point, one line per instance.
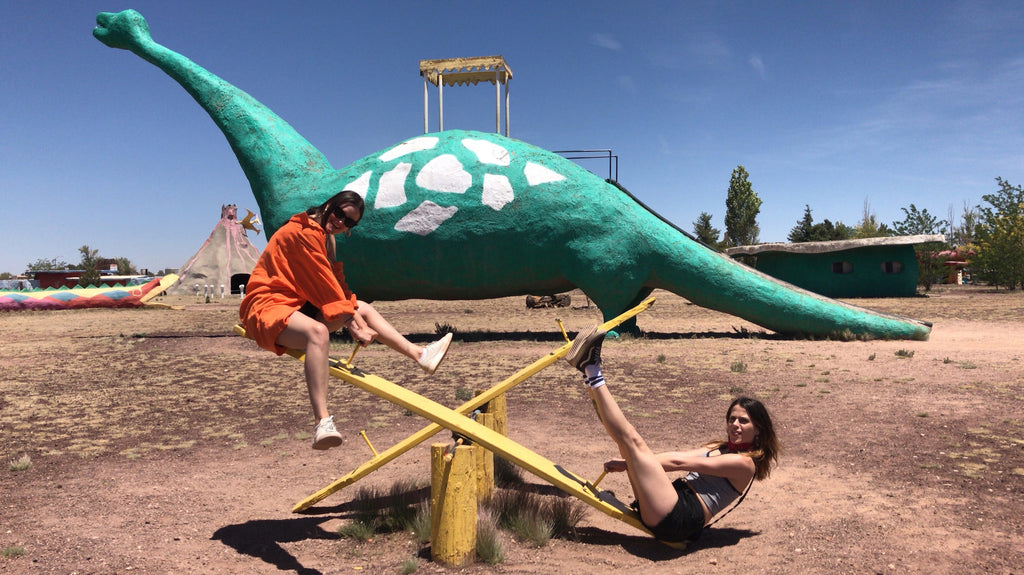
(468, 215)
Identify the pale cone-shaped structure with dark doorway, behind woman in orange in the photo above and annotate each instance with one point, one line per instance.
(226, 254)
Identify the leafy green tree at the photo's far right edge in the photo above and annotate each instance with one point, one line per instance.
(1000, 237)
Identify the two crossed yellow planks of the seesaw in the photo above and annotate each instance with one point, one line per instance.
(460, 424)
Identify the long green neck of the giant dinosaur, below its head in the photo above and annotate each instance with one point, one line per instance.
(276, 159)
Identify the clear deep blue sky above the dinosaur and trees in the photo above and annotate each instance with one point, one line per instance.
(831, 105)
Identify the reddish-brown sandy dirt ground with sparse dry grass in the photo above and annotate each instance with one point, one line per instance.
(160, 443)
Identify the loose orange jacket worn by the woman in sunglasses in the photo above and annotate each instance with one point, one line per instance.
(293, 270)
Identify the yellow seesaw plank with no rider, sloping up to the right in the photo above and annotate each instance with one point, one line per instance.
(398, 450)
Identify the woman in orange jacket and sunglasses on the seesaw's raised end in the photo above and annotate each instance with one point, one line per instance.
(297, 297)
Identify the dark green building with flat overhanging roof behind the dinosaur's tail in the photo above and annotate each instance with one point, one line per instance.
(874, 268)
